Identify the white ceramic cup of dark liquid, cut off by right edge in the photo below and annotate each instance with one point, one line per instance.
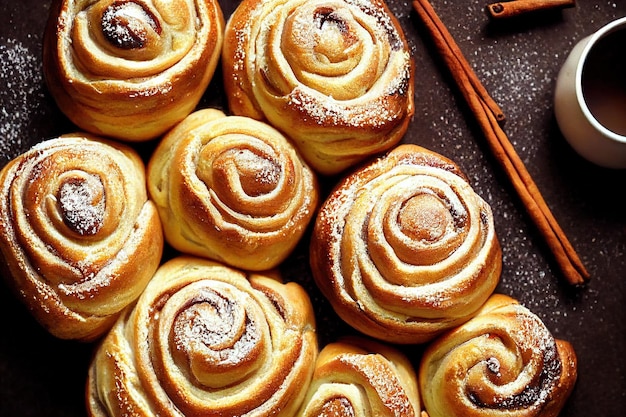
(590, 100)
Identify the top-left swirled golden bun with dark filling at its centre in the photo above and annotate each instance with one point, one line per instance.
(112, 65)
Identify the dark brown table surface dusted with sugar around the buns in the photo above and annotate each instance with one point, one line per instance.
(518, 61)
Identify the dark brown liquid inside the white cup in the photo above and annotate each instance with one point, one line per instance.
(604, 81)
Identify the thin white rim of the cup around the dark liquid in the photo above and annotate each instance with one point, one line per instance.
(593, 39)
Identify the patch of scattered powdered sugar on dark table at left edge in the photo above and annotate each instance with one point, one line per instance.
(21, 92)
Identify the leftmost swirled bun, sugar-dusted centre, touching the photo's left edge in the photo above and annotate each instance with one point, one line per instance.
(77, 232)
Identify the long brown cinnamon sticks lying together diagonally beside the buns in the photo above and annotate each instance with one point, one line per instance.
(489, 116)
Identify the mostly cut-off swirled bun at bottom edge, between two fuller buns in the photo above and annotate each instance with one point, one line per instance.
(357, 377)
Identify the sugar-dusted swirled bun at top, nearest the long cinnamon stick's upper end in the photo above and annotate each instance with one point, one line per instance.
(335, 76)
